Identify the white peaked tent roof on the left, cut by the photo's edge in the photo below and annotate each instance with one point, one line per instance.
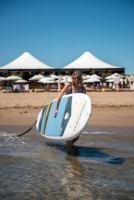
(26, 61)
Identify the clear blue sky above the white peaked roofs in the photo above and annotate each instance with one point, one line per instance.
(59, 31)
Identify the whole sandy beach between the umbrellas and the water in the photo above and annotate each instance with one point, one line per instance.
(108, 108)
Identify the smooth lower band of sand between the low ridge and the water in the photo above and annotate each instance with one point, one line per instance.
(113, 116)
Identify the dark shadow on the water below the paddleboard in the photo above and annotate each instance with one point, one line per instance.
(88, 153)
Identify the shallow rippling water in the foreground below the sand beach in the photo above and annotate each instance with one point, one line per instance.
(100, 165)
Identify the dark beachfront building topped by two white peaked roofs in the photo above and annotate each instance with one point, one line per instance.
(87, 63)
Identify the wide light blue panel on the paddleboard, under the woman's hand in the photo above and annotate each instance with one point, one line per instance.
(54, 123)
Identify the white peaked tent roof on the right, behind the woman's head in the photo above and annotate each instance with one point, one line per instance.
(86, 61)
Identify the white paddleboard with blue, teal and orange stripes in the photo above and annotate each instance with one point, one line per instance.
(74, 111)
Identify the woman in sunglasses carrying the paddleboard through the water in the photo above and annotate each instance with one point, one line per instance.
(70, 88)
